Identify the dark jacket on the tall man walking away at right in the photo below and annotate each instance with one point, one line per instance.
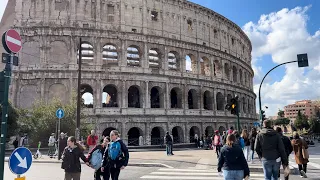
(269, 146)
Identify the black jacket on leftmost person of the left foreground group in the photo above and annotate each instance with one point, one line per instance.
(71, 160)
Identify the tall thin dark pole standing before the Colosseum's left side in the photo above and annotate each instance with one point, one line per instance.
(77, 133)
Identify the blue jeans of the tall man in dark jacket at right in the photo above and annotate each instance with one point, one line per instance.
(271, 169)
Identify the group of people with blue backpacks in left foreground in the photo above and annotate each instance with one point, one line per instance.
(107, 158)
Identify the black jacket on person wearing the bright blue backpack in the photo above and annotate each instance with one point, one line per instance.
(118, 163)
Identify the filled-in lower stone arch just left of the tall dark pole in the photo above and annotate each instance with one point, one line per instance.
(58, 91)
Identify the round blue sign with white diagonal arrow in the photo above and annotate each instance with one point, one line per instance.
(20, 161)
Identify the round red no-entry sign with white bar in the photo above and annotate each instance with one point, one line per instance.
(11, 41)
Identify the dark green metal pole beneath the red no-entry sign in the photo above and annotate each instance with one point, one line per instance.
(5, 104)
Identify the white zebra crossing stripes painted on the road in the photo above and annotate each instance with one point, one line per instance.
(191, 174)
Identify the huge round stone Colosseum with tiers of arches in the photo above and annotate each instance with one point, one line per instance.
(150, 66)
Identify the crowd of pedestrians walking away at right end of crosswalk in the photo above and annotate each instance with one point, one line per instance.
(272, 147)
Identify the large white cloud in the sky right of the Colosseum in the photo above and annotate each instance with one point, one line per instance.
(283, 35)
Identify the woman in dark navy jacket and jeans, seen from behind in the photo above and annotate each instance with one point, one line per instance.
(232, 161)
